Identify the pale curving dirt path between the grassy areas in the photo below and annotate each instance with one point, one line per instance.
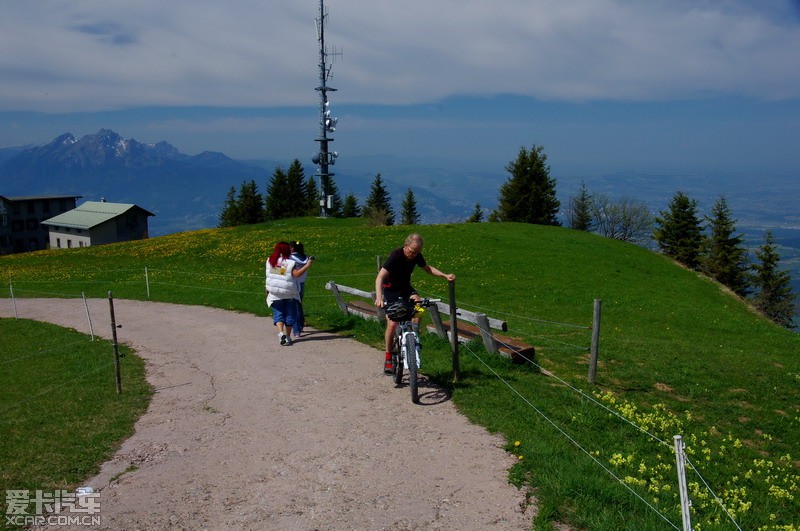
(243, 433)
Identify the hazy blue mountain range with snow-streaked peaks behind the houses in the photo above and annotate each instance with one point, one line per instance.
(184, 192)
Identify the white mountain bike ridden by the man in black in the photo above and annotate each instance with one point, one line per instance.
(405, 344)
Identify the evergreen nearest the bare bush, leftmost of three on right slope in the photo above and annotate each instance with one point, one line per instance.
(678, 231)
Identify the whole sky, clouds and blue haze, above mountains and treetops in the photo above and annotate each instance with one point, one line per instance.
(603, 85)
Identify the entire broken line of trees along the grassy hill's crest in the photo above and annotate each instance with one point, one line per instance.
(707, 244)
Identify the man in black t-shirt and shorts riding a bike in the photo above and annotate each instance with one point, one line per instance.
(394, 282)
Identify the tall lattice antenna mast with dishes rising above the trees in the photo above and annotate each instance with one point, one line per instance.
(327, 124)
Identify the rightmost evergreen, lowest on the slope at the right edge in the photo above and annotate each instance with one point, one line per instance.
(774, 298)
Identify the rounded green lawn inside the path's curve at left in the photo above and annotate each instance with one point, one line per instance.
(60, 414)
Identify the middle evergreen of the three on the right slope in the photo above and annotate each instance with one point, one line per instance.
(725, 257)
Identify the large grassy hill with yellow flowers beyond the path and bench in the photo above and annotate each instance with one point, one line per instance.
(678, 355)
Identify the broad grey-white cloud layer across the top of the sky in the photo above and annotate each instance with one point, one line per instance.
(81, 55)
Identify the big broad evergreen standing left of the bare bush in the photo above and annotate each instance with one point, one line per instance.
(529, 195)
